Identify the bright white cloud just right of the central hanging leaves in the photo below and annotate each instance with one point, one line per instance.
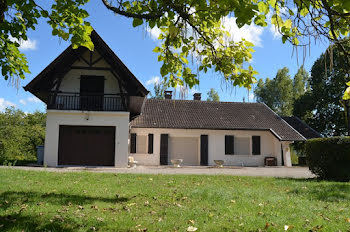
(251, 33)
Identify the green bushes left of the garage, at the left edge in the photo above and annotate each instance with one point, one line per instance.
(20, 134)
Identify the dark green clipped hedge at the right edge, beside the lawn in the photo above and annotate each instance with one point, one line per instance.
(329, 158)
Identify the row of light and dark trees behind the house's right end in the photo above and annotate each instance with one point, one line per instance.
(316, 98)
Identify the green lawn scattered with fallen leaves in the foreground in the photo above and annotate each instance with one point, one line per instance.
(83, 201)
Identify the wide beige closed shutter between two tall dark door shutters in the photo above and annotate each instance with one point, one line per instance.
(186, 148)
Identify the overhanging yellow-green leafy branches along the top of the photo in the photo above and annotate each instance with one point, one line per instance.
(187, 29)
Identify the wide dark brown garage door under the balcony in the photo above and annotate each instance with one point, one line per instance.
(86, 145)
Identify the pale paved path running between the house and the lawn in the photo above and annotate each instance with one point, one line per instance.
(293, 172)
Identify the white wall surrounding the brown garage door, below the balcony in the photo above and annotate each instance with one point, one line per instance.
(55, 118)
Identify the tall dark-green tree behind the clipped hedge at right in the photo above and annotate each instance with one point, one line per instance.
(320, 107)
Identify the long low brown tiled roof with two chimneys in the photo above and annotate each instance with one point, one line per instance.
(194, 114)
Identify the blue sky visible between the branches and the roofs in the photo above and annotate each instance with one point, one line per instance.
(134, 47)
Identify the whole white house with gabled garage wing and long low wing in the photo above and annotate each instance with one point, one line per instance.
(98, 115)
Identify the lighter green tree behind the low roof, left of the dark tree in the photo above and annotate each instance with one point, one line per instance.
(277, 93)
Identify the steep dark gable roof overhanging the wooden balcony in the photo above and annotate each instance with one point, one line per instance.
(46, 79)
